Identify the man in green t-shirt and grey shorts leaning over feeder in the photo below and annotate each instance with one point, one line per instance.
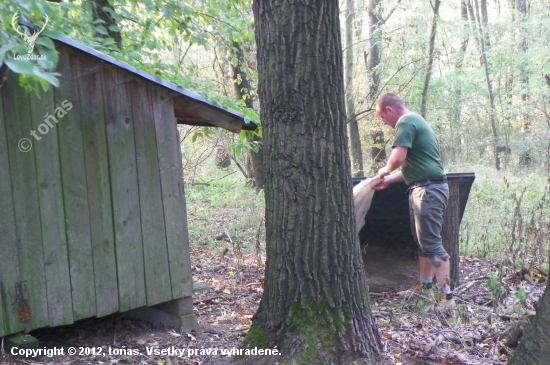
(416, 151)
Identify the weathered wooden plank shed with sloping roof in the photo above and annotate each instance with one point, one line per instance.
(92, 205)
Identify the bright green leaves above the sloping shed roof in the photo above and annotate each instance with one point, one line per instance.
(150, 29)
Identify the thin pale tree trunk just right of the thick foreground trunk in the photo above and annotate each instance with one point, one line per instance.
(353, 128)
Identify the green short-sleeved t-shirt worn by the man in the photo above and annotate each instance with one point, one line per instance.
(423, 159)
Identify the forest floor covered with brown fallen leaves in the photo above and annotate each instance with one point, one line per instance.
(412, 331)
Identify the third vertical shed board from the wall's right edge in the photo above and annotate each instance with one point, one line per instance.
(124, 188)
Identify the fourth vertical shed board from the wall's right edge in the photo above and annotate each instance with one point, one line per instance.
(89, 80)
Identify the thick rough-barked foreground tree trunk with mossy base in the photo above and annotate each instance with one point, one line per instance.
(315, 306)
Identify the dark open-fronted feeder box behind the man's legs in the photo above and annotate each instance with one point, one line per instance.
(389, 250)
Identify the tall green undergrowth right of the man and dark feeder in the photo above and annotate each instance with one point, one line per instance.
(506, 218)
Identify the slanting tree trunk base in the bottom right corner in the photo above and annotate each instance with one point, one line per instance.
(534, 348)
